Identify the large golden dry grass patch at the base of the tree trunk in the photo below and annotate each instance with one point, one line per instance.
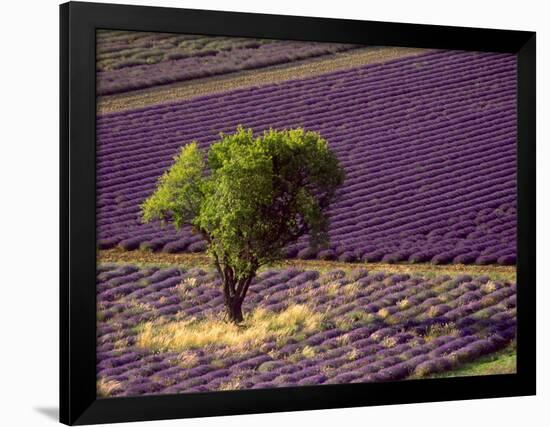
(260, 326)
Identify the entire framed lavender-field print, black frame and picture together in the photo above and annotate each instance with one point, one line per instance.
(273, 213)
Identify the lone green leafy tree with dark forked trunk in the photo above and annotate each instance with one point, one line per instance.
(259, 194)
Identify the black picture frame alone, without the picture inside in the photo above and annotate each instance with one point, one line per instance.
(78, 402)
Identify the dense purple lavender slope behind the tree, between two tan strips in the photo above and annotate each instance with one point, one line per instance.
(428, 144)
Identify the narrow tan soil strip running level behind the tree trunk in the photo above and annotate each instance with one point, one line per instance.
(495, 272)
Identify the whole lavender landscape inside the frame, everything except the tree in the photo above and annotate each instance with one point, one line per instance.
(418, 277)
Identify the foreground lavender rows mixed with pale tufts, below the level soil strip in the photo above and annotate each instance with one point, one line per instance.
(379, 327)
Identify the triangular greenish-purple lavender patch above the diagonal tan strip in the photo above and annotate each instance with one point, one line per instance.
(139, 60)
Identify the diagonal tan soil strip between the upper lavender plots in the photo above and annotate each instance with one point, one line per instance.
(244, 79)
